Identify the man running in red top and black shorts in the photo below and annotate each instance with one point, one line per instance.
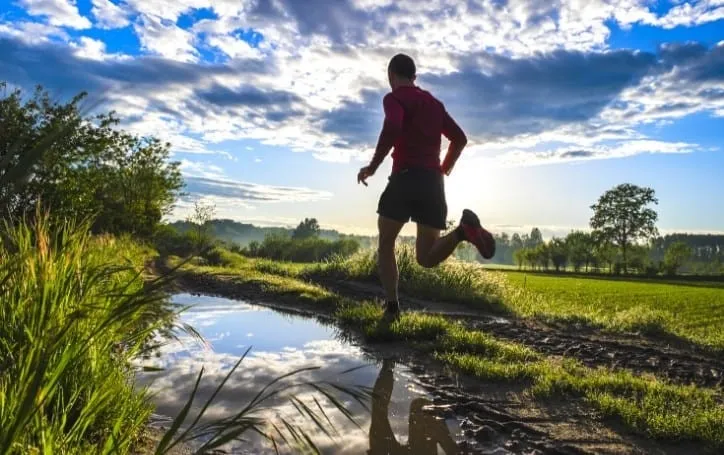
(413, 125)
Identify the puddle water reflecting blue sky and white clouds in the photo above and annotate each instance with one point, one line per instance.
(281, 345)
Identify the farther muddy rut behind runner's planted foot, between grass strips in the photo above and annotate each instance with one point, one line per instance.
(641, 355)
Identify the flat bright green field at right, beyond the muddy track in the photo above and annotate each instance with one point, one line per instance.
(694, 311)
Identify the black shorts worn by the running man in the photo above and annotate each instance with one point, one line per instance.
(417, 195)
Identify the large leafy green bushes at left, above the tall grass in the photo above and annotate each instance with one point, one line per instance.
(80, 167)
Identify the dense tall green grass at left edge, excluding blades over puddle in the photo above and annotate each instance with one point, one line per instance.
(73, 313)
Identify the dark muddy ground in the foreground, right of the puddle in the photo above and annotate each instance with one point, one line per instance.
(502, 419)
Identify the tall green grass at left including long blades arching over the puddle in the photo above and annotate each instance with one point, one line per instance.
(77, 318)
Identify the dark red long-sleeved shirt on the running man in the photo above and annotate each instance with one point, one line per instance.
(413, 125)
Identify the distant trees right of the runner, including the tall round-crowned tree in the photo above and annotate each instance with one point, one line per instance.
(623, 239)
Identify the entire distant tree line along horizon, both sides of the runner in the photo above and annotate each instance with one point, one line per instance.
(634, 247)
